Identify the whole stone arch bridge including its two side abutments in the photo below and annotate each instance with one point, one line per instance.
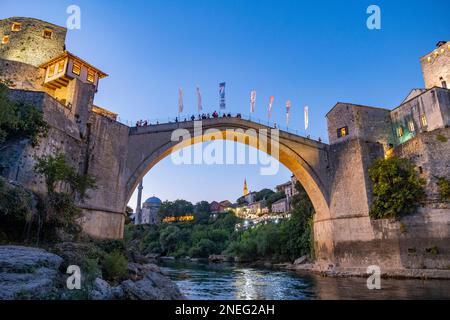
(119, 157)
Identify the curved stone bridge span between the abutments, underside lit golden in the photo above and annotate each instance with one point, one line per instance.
(305, 158)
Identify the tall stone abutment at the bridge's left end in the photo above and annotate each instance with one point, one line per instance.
(106, 153)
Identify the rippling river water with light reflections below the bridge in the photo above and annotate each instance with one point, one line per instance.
(209, 281)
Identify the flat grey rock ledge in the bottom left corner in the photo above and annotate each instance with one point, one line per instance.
(27, 273)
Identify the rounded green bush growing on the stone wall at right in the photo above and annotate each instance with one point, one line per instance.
(397, 189)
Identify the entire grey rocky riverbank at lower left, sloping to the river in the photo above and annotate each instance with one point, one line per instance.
(34, 273)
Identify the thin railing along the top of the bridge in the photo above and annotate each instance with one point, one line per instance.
(185, 118)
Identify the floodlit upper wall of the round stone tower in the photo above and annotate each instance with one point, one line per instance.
(29, 45)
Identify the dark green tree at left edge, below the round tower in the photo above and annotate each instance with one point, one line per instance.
(18, 120)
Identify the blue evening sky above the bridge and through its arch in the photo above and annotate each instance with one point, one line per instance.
(311, 52)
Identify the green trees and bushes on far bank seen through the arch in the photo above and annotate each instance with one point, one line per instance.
(205, 236)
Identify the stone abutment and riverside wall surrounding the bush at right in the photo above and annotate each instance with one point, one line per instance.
(414, 241)
